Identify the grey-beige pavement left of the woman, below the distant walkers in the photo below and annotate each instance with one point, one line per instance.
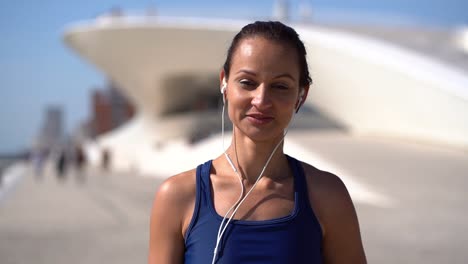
(101, 218)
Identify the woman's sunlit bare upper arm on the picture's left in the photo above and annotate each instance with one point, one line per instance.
(168, 215)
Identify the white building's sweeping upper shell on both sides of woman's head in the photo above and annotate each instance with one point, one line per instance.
(372, 87)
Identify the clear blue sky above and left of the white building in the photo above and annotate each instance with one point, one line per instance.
(37, 69)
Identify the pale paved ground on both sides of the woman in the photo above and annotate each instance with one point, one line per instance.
(104, 218)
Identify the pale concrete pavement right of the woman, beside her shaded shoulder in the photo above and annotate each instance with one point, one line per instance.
(427, 219)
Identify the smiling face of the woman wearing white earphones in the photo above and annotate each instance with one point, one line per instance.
(263, 88)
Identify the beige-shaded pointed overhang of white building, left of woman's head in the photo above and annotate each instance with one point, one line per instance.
(161, 64)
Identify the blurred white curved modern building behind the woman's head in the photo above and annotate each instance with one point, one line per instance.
(168, 68)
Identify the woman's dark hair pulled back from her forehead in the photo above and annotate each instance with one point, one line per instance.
(276, 31)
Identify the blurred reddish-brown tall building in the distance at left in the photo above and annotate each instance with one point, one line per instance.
(109, 110)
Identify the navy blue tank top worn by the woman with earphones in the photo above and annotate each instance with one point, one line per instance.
(296, 238)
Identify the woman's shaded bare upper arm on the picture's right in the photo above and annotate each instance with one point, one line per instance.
(341, 234)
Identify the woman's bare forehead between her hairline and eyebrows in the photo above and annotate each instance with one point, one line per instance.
(259, 51)
